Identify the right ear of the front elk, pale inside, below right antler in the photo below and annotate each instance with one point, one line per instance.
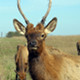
(51, 26)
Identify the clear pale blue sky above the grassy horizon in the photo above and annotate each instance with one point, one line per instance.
(66, 11)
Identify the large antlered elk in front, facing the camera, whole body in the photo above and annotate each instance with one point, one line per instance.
(43, 65)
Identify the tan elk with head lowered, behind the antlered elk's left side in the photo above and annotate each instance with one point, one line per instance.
(21, 60)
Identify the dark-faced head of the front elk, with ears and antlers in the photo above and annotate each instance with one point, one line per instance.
(35, 35)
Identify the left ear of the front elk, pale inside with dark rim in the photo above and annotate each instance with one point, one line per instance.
(19, 27)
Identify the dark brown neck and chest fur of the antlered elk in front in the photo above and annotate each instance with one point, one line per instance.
(41, 65)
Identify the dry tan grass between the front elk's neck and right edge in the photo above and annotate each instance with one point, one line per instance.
(65, 43)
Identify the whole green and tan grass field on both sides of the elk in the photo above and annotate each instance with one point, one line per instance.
(8, 50)
